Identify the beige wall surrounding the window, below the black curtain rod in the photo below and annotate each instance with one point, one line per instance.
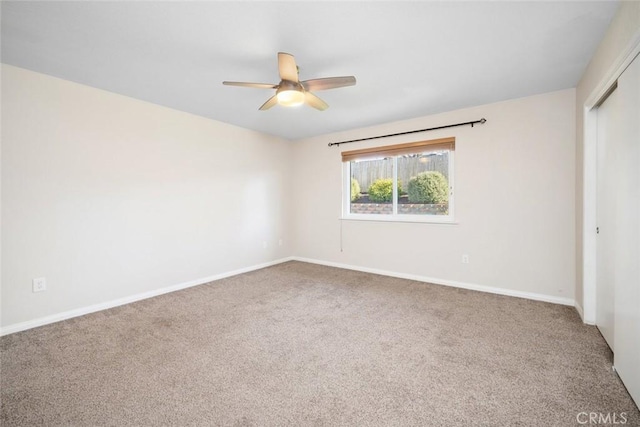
(514, 202)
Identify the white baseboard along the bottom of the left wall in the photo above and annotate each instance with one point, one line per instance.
(23, 326)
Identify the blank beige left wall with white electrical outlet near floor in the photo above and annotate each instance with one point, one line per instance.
(108, 197)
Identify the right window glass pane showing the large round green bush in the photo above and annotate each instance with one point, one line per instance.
(424, 182)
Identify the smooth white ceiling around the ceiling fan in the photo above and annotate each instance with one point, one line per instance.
(410, 58)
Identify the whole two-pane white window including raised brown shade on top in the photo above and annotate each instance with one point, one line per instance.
(404, 182)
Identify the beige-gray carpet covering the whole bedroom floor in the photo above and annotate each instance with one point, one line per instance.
(301, 344)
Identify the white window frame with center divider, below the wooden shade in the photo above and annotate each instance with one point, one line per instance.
(395, 216)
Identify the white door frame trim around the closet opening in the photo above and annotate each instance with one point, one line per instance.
(590, 138)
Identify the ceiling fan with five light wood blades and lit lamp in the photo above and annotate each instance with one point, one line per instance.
(291, 92)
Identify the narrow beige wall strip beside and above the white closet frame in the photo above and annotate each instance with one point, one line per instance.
(624, 27)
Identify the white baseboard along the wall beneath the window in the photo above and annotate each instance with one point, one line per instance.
(452, 283)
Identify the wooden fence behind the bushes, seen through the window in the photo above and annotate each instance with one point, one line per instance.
(366, 172)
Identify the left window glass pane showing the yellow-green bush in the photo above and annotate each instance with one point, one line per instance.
(372, 187)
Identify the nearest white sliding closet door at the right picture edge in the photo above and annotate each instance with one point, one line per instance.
(626, 339)
